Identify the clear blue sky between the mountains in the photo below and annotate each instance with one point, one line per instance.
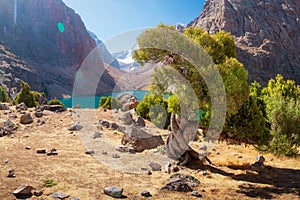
(107, 18)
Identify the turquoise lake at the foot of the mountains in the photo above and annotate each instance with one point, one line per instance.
(93, 101)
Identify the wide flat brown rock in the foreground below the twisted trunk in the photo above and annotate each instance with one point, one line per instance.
(181, 183)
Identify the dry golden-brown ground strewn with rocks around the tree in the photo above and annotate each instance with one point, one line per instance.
(84, 176)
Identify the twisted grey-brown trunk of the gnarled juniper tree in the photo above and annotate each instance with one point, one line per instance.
(177, 145)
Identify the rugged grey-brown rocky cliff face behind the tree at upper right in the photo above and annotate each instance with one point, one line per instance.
(266, 34)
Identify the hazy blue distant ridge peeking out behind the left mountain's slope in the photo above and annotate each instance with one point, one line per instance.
(104, 53)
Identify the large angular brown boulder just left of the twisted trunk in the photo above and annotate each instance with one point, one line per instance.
(140, 140)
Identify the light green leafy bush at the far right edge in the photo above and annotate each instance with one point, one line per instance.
(282, 104)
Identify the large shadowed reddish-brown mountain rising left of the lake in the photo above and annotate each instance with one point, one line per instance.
(45, 43)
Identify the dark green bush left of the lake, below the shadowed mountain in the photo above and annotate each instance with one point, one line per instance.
(26, 95)
